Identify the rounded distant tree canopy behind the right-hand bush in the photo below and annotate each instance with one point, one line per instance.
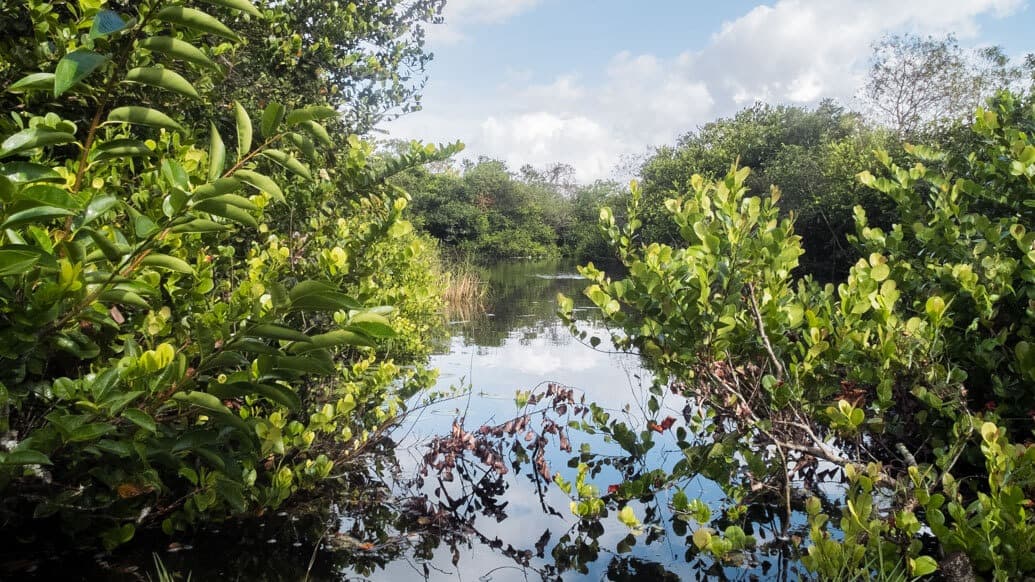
(811, 155)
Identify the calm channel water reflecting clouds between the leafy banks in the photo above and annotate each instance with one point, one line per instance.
(395, 525)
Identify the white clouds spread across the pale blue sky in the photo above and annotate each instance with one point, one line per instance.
(793, 51)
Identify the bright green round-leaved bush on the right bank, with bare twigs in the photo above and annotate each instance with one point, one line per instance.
(911, 380)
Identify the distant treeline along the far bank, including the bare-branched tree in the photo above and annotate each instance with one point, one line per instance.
(812, 155)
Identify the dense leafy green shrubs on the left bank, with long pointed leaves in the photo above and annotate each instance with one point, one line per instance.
(192, 326)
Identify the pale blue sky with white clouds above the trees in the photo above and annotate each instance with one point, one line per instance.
(598, 83)
